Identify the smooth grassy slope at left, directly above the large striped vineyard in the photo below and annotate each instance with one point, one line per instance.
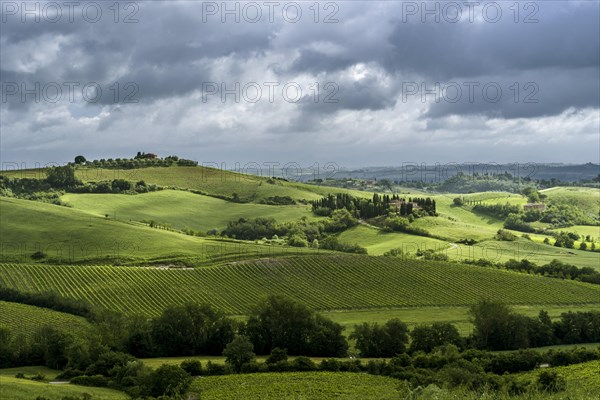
(69, 235)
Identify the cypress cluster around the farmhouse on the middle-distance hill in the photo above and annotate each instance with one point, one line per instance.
(379, 205)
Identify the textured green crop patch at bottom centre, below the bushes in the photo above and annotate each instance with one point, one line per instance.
(307, 385)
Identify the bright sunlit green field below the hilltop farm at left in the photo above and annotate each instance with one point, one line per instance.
(180, 208)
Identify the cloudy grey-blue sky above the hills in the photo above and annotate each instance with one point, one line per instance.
(275, 82)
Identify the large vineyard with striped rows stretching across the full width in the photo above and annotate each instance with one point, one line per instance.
(322, 283)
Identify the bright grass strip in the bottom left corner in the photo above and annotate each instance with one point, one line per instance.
(25, 389)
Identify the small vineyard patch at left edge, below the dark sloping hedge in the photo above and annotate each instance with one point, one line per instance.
(21, 318)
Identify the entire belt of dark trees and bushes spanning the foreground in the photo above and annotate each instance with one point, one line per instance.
(278, 326)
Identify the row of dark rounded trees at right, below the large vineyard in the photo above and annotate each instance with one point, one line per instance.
(496, 327)
